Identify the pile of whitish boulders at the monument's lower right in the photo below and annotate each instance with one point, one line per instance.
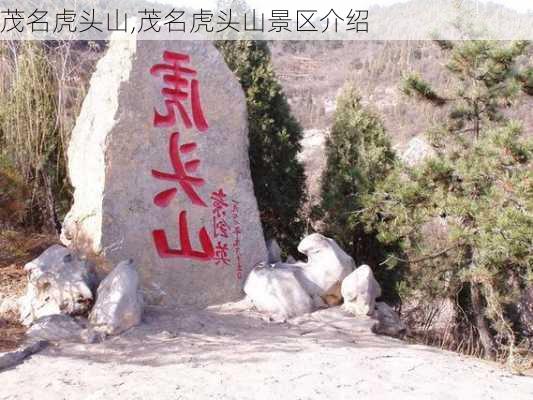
(283, 290)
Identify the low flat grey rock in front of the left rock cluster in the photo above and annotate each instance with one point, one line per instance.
(56, 328)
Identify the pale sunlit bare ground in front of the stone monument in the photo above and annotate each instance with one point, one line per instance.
(222, 353)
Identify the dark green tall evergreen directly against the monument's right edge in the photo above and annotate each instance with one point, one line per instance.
(275, 135)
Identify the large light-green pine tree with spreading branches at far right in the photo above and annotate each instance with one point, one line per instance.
(479, 185)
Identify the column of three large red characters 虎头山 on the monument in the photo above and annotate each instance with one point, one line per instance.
(182, 89)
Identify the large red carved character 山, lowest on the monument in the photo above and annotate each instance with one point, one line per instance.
(186, 250)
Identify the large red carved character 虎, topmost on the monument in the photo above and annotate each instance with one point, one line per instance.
(181, 87)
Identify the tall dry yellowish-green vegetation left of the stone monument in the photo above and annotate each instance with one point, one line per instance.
(41, 90)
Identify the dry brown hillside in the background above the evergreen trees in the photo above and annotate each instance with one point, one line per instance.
(312, 73)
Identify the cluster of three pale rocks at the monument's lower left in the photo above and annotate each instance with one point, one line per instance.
(61, 292)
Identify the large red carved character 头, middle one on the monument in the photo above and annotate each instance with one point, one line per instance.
(180, 174)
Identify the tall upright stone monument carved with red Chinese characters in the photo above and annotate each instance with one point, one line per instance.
(159, 163)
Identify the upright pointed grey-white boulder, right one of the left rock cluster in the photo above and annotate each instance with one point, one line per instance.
(119, 302)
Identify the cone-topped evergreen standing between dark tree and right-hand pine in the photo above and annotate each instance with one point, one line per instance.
(359, 155)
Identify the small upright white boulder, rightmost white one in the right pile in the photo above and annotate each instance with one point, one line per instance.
(360, 290)
